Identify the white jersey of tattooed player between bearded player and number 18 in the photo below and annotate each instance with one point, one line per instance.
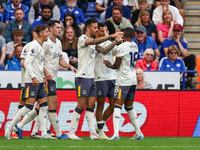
(100, 70)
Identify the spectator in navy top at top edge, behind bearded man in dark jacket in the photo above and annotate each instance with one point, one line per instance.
(126, 11)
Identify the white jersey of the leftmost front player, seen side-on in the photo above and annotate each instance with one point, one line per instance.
(34, 62)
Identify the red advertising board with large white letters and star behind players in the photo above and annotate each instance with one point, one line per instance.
(171, 113)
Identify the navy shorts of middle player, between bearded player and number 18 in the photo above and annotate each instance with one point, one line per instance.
(105, 88)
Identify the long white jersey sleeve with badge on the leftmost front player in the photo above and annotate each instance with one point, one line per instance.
(32, 53)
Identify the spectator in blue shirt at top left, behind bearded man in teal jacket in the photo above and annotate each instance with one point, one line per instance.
(9, 11)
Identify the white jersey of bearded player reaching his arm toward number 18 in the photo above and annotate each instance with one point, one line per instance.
(86, 56)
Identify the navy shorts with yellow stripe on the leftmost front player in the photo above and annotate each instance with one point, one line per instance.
(37, 92)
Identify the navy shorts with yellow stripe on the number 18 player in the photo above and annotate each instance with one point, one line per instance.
(124, 92)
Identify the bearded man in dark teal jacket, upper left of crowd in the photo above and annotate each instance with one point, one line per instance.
(19, 23)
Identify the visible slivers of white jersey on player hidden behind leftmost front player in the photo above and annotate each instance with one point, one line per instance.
(23, 56)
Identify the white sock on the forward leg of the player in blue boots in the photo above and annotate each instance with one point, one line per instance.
(55, 123)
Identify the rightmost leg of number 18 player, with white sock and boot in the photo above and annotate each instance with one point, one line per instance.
(133, 117)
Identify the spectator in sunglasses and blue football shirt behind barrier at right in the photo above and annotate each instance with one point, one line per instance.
(172, 62)
